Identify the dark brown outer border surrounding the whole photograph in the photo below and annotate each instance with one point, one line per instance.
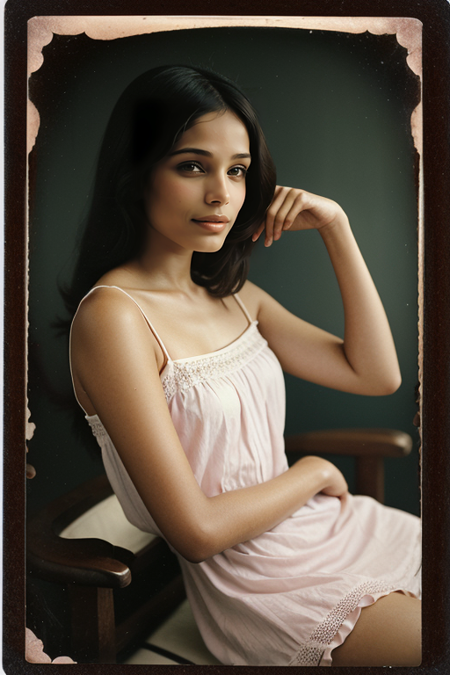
(435, 16)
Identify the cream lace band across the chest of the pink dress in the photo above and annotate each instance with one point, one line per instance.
(183, 374)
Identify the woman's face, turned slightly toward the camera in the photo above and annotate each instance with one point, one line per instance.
(195, 193)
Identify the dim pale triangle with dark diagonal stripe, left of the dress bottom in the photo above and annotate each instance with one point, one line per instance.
(176, 641)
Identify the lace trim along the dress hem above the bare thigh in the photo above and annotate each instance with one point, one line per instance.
(311, 652)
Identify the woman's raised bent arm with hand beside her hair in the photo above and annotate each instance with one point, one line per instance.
(365, 362)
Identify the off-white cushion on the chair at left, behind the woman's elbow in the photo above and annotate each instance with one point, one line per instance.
(107, 521)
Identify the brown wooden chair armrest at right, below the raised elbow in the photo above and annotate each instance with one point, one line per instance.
(356, 442)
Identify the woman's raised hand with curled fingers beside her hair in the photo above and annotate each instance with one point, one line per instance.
(294, 209)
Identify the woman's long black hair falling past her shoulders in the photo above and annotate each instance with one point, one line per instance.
(148, 119)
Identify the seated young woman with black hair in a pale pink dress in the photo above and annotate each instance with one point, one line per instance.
(177, 362)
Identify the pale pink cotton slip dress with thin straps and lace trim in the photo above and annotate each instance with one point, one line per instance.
(294, 593)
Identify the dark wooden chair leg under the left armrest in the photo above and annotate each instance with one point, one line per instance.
(93, 624)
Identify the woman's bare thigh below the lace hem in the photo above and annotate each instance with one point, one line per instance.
(388, 633)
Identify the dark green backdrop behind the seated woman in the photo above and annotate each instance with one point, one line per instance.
(335, 109)
